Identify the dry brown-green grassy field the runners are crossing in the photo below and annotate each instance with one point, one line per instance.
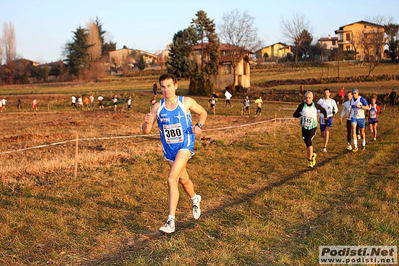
(261, 205)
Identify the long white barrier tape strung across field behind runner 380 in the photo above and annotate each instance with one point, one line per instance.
(135, 136)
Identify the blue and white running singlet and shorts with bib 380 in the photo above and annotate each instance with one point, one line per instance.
(175, 129)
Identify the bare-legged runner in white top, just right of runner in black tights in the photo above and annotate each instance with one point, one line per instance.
(326, 122)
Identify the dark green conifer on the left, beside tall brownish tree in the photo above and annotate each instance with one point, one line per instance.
(77, 52)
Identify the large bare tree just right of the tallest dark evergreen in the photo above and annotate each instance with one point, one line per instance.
(237, 30)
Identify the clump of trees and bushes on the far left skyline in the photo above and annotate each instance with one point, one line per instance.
(85, 57)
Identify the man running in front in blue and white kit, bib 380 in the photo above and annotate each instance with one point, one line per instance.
(173, 114)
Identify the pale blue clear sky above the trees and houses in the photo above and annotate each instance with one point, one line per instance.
(44, 26)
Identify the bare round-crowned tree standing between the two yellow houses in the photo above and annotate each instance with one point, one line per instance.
(292, 30)
